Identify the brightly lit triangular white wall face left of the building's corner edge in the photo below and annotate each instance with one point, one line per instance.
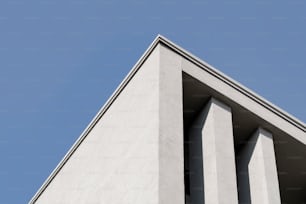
(118, 162)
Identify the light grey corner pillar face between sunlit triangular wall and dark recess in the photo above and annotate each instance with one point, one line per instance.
(171, 135)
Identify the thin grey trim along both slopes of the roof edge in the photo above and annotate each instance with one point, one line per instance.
(207, 67)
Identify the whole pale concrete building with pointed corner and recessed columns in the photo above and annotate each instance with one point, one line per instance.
(178, 131)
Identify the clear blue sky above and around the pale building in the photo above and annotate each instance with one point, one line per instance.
(61, 60)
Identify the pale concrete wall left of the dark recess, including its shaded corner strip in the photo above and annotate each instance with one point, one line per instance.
(124, 159)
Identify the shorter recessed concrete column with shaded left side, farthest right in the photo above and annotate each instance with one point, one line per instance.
(257, 173)
